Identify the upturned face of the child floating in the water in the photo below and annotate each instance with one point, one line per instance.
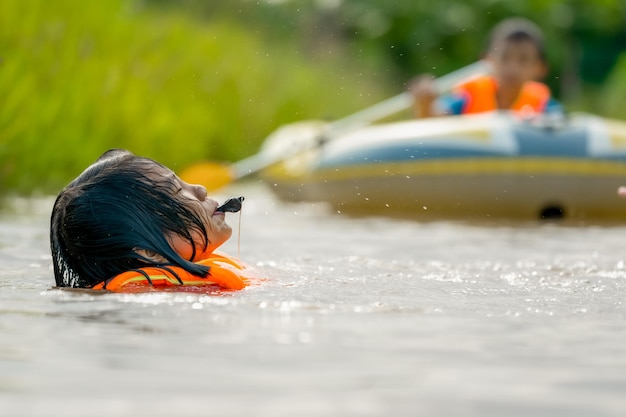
(195, 198)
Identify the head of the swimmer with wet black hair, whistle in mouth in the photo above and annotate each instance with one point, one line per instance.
(126, 212)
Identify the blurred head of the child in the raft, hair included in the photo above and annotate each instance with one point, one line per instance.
(517, 53)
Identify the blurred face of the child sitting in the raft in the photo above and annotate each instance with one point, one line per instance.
(516, 62)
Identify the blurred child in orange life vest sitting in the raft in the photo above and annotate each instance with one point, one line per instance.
(517, 56)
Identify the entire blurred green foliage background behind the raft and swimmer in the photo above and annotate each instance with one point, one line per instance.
(187, 80)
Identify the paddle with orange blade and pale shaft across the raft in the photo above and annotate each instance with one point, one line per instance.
(216, 175)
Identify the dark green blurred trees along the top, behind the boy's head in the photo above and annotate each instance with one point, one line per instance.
(584, 38)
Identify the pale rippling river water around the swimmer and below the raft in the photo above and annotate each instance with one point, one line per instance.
(358, 317)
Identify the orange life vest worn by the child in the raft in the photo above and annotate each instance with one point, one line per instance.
(480, 94)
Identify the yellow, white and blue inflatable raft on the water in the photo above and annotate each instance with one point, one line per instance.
(492, 165)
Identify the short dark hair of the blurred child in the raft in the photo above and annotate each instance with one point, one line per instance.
(517, 29)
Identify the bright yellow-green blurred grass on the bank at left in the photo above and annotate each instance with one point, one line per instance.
(78, 78)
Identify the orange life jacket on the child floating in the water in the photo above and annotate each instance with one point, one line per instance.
(224, 273)
